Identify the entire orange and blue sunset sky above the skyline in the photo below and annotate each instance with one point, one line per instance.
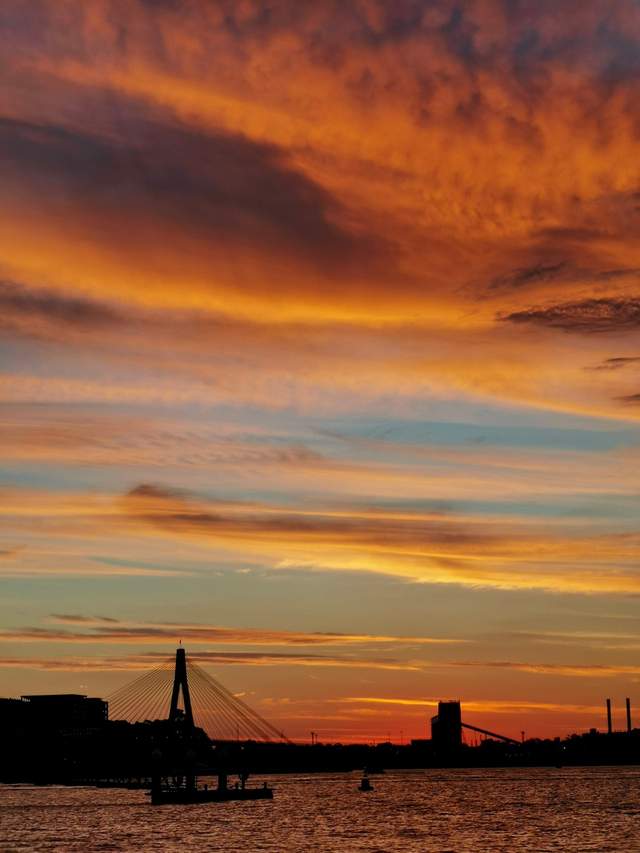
(320, 352)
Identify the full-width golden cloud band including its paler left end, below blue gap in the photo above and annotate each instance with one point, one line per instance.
(431, 547)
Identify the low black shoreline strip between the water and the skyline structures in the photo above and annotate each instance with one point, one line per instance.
(125, 755)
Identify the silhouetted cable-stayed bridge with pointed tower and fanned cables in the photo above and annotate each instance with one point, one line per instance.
(205, 703)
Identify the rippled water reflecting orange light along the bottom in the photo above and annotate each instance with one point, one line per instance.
(573, 810)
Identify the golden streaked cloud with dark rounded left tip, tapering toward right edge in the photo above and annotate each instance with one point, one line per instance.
(435, 548)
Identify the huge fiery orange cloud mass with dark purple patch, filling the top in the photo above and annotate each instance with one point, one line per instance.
(370, 177)
